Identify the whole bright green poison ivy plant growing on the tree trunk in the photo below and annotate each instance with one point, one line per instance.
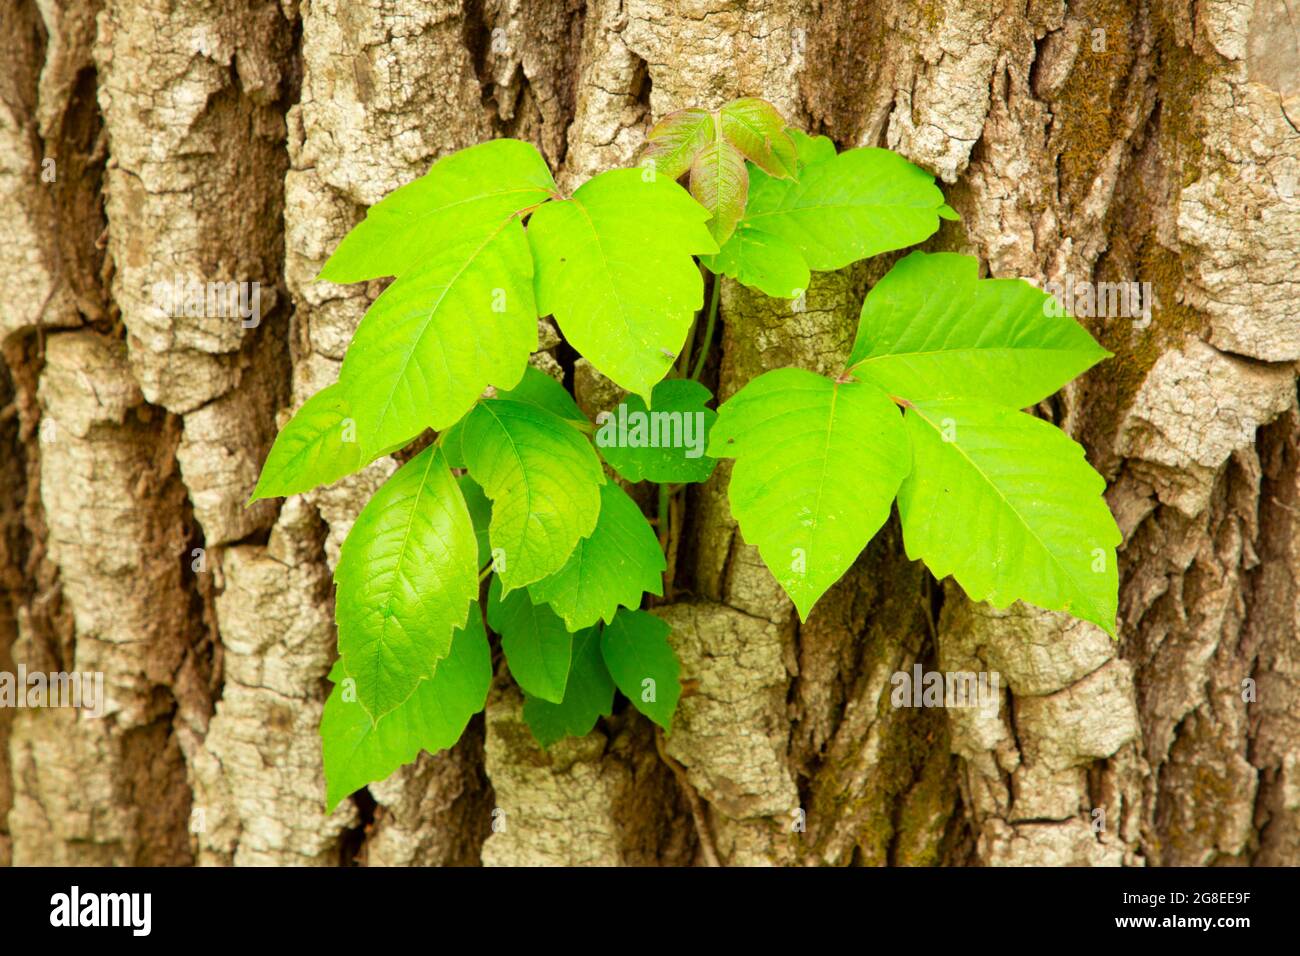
(512, 504)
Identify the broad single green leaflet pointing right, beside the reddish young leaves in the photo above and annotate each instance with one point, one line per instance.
(859, 205)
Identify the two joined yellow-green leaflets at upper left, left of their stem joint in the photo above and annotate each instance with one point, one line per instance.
(461, 315)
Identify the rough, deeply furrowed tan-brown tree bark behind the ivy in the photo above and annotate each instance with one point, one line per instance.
(240, 141)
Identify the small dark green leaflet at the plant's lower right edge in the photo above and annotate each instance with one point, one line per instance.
(643, 664)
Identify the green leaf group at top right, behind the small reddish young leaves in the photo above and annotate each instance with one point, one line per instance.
(840, 210)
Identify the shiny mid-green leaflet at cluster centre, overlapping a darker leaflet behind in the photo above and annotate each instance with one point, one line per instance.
(544, 481)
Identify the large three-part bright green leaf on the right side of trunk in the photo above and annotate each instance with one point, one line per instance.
(1004, 503)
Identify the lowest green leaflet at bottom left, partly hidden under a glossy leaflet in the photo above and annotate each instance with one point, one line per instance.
(358, 752)
